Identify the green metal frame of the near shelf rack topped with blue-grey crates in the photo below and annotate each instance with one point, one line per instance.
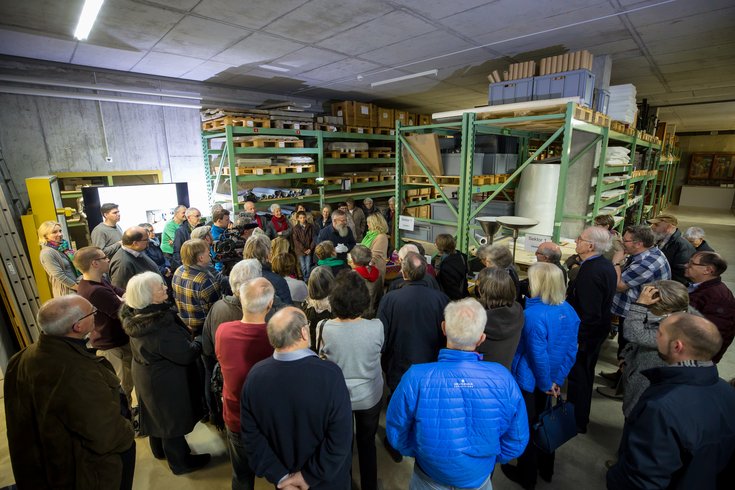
(547, 127)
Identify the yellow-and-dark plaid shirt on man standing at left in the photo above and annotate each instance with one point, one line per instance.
(195, 291)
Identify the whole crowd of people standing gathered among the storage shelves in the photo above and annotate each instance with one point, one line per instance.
(296, 348)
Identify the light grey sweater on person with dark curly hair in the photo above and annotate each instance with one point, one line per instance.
(355, 347)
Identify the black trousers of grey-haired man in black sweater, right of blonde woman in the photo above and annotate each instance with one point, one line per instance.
(581, 379)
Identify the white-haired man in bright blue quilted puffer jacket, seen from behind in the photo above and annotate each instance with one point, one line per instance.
(458, 416)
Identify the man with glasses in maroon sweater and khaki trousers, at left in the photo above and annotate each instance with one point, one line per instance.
(108, 336)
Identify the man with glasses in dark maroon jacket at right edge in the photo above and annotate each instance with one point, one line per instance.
(710, 296)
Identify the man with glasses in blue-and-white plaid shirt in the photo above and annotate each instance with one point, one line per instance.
(644, 264)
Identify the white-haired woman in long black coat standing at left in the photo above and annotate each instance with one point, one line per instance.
(165, 374)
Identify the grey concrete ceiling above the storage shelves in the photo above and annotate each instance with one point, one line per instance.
(674, 51)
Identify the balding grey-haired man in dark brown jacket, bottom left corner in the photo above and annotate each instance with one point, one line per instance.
(64, 407)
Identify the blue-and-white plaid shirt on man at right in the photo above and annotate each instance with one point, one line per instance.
(646, 267)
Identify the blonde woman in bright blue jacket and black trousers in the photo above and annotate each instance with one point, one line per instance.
(546, 352)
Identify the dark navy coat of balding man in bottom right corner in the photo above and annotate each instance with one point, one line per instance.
(680, 435)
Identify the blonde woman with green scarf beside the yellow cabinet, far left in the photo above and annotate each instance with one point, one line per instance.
(57, 259)
